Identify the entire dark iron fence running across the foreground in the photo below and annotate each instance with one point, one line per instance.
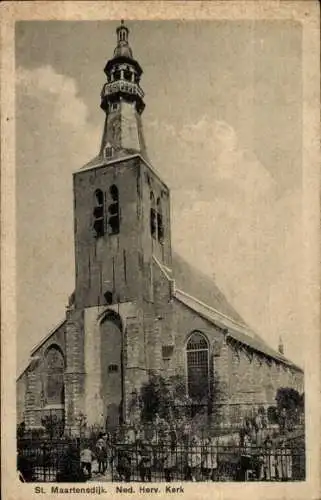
(59, 460)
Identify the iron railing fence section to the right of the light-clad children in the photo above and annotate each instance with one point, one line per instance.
(206, 463)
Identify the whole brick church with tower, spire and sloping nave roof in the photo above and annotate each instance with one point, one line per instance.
(138, 308)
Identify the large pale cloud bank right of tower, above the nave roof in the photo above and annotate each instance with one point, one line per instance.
(244, 232)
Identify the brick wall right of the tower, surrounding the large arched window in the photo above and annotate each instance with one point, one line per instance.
(242, 377)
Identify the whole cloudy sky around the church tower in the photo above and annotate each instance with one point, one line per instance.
(223, 126)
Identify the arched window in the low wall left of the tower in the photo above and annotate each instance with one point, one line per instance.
(54, 376)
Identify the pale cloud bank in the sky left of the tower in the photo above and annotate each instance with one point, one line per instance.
(54, 138)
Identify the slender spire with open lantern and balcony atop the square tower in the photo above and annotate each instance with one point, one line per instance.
(122, 101)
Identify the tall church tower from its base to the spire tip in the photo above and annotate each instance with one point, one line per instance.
(121, 221)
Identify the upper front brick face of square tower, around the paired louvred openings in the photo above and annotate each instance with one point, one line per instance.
(108, 263)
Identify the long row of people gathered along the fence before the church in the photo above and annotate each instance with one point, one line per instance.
(132, 456)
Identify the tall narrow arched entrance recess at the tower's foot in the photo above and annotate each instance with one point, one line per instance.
(111, 371)
